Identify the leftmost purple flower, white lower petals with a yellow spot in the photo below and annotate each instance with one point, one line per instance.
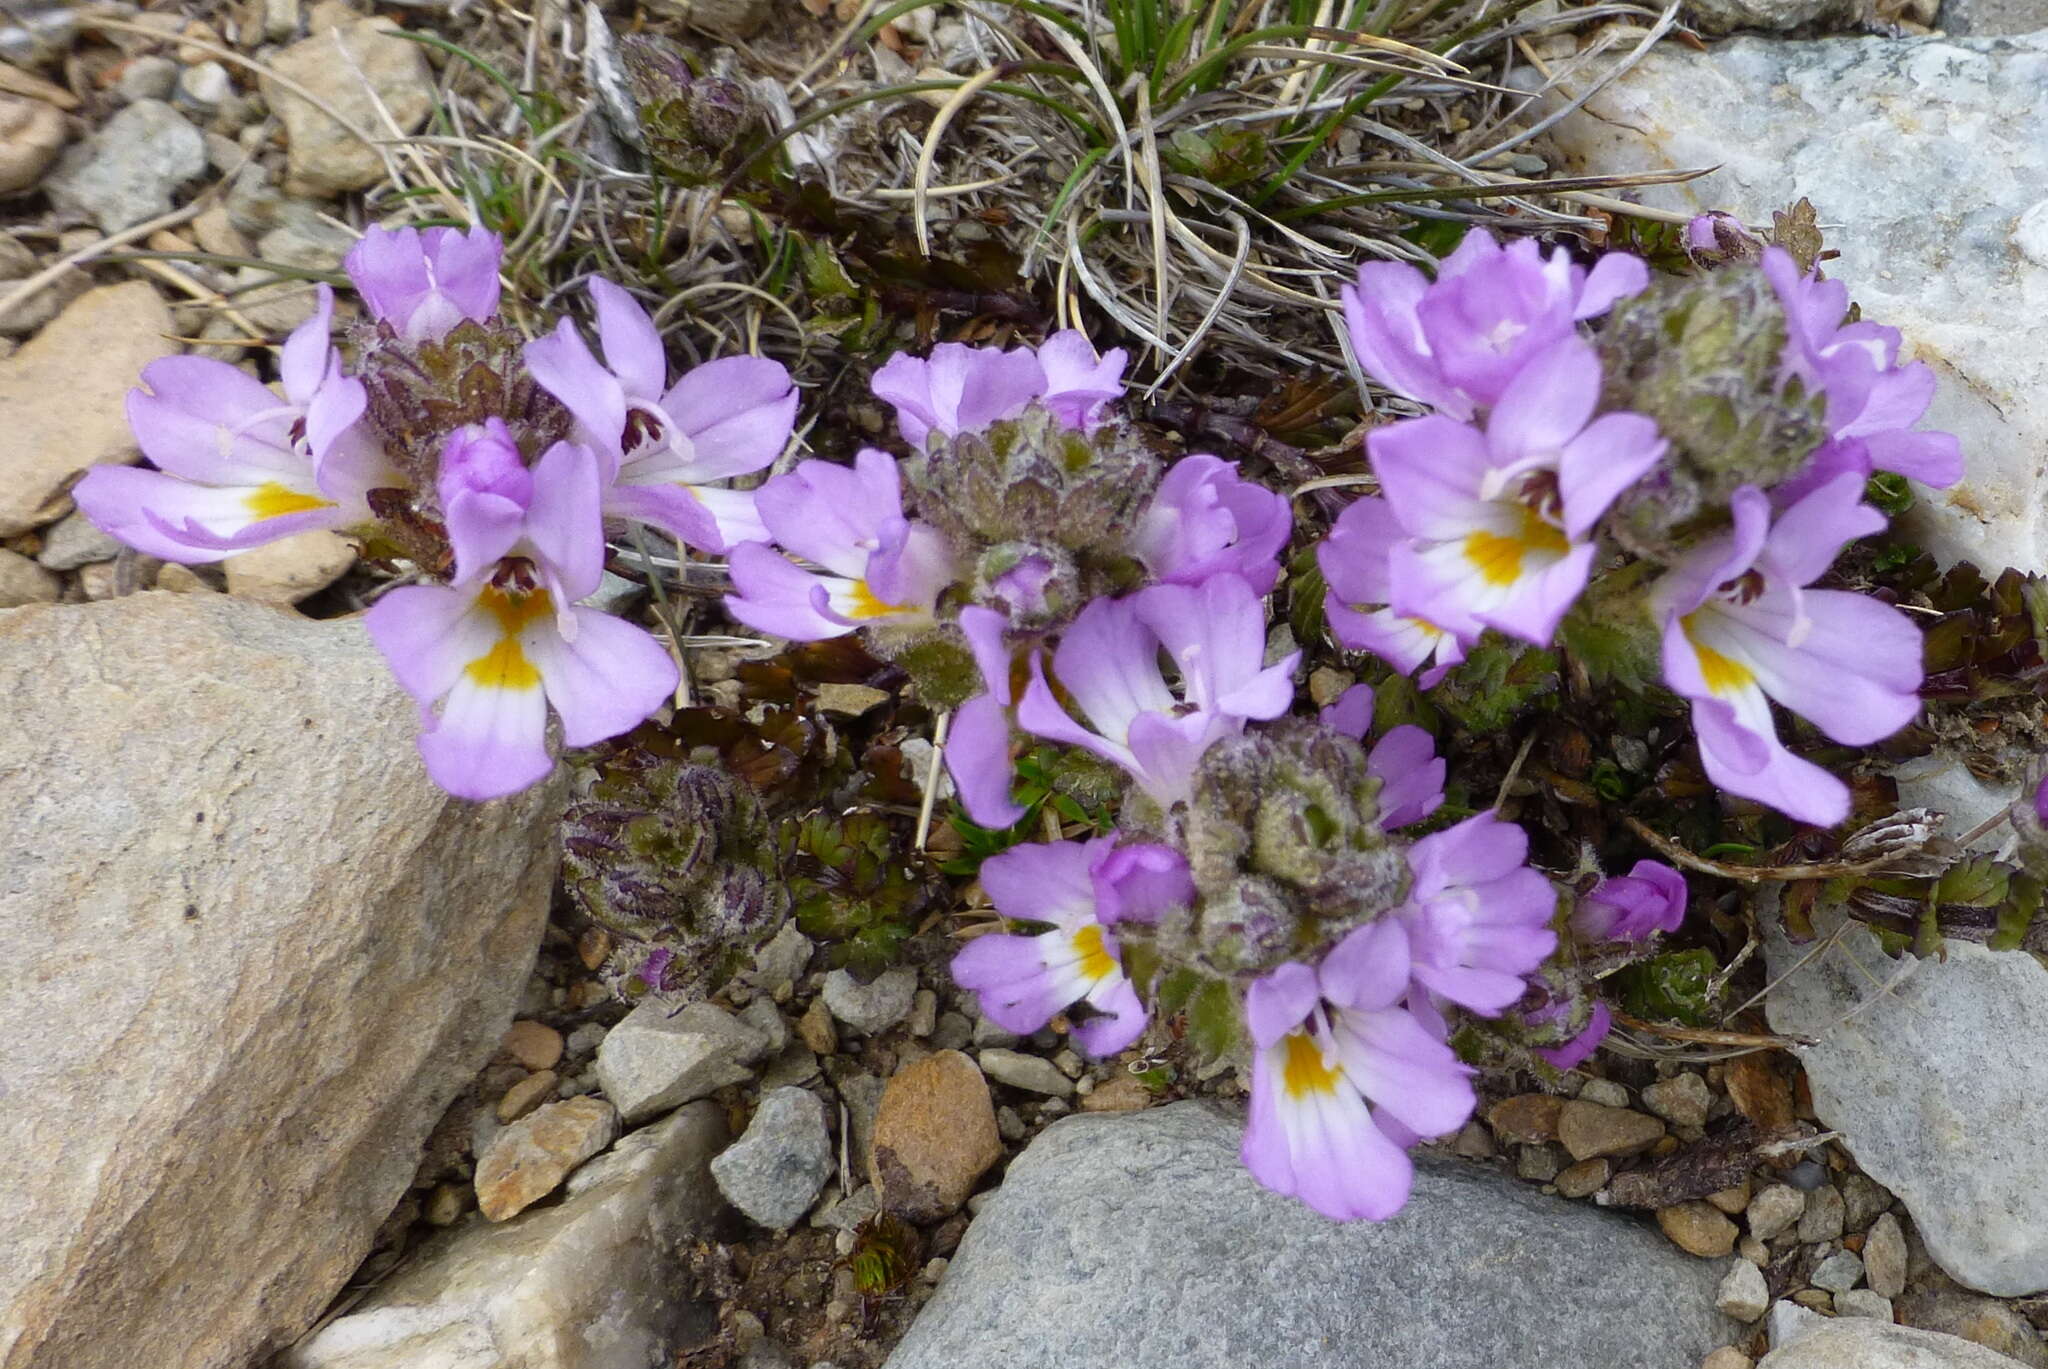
(239, 466)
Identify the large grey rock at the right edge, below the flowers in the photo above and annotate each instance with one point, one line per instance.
(1961, 1147)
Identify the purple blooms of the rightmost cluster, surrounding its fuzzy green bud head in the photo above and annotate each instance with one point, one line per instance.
(1492, 507)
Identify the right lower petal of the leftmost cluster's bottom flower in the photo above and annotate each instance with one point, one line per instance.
(605, 681)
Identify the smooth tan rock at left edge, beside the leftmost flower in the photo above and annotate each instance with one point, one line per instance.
(65, 395)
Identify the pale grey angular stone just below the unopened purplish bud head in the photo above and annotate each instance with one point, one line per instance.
(656, 1061)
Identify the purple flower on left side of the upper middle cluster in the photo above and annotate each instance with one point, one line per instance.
(884, 569)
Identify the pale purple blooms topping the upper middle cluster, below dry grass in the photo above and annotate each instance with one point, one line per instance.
(966, 388)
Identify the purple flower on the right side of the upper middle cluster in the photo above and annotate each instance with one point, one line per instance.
(1205, 520)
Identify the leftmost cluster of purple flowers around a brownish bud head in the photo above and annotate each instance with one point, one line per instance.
(490, 464)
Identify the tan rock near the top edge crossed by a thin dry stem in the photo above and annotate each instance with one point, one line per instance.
(335, 65)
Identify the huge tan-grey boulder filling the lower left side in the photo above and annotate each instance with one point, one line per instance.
(249, 954)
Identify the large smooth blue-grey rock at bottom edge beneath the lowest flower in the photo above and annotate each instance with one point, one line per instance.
(1140, 1241)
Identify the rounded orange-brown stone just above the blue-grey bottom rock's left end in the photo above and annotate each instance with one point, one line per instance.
(935, 1136)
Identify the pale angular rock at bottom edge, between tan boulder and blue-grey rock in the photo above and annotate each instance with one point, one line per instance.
(585, 1284)
